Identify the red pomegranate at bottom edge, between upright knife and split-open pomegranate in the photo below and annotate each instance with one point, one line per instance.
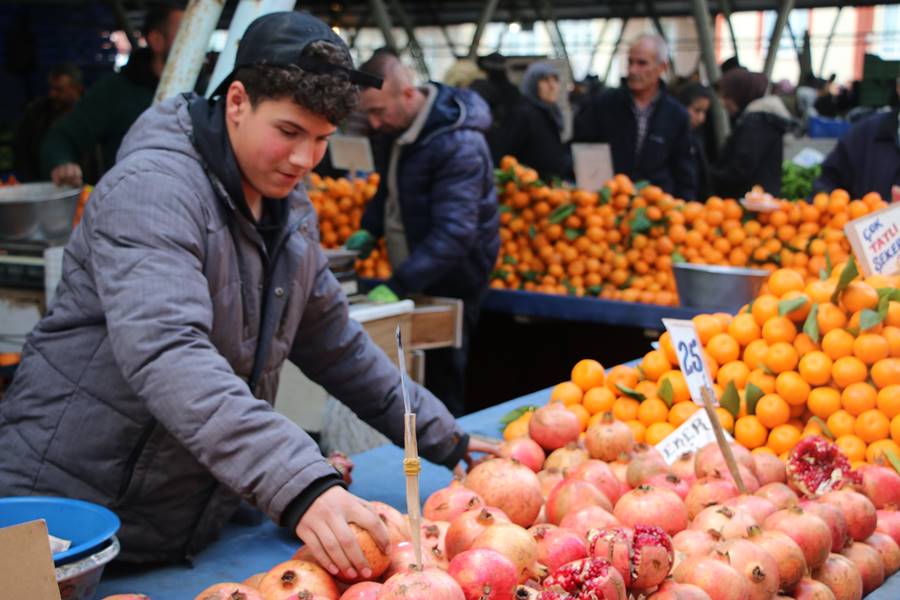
(484, 575)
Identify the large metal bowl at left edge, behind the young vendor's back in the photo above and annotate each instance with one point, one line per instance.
(37, 212)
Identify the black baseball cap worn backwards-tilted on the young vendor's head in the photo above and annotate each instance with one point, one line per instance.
(279, 39)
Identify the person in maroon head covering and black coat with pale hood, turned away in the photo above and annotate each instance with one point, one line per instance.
(754, 151)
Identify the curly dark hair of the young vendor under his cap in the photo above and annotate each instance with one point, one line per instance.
(331, 95)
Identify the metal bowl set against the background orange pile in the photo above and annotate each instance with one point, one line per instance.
(717, 288)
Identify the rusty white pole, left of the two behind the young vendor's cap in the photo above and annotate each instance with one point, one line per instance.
(189, 49)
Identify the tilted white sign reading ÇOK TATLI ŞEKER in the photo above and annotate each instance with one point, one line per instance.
(875, 239)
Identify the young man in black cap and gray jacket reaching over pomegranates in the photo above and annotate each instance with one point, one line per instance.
(194, 274)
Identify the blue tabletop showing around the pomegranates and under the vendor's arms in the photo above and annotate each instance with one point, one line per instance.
(378, 475)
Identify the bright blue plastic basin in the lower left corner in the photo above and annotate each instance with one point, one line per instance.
(85, 524)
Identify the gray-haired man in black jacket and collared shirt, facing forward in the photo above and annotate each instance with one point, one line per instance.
(649, 131)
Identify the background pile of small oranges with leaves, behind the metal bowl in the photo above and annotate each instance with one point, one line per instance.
(620, 243)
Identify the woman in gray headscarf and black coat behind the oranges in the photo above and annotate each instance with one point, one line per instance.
(532, 131)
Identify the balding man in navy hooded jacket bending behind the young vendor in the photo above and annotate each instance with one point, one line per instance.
(436, 208)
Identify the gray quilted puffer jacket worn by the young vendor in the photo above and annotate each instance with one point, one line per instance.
(132, 392)
